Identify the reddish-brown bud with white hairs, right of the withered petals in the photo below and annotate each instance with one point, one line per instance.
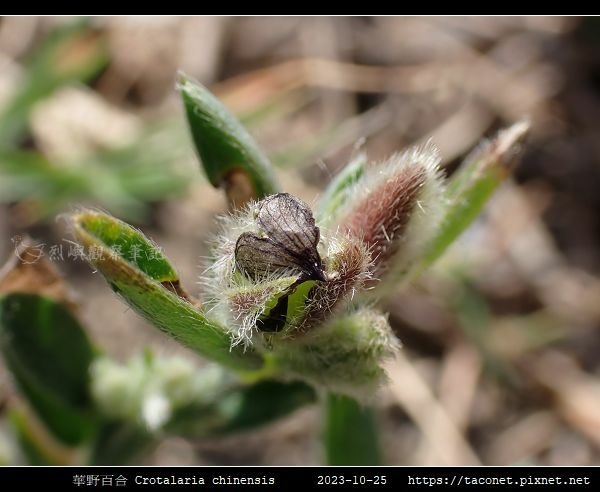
(394, 208)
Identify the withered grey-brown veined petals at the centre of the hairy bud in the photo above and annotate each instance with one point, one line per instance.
(287, 240)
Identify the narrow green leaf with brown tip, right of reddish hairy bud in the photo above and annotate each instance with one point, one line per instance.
(472, 186)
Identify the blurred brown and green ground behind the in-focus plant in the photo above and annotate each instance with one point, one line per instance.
(501, 342)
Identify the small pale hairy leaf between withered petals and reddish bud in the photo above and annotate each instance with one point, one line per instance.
(337, 192)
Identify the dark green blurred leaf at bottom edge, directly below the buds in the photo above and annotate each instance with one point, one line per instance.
(350, 437)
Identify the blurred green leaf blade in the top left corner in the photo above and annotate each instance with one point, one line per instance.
(71, 53)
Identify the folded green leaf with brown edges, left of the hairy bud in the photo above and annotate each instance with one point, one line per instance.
(150, 285)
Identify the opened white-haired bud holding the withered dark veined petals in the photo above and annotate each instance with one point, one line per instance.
(267, 274)
